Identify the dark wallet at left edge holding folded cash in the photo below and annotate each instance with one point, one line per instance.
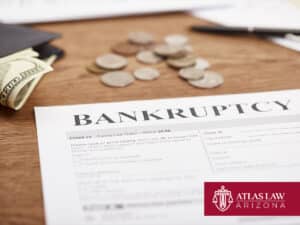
(14, 38)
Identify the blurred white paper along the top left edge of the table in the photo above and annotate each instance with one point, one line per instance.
(32, 11)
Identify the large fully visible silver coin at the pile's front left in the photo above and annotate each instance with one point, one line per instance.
(117, 79)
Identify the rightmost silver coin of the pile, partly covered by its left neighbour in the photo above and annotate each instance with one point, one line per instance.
(210, 80)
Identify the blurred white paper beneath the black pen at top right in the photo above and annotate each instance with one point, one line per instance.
(255, 13)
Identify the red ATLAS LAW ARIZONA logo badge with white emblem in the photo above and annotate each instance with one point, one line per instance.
(251, 198)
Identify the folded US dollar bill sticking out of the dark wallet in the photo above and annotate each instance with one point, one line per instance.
(20, 73)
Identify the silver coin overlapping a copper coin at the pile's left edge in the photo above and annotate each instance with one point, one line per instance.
(111, 62)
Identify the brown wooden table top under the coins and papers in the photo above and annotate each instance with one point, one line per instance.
(249, 64)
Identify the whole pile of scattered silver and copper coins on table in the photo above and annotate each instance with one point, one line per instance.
(175, 51)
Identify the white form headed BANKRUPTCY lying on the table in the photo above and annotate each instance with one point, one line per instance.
(145, 162)
